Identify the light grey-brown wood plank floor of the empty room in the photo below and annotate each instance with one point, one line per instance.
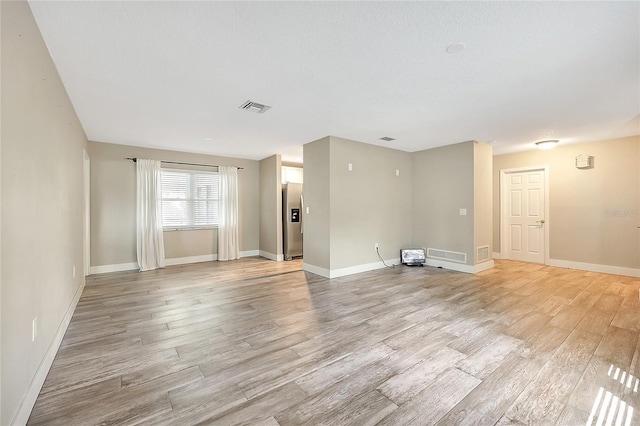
(260, 342)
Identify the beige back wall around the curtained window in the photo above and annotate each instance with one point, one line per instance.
(113, 198)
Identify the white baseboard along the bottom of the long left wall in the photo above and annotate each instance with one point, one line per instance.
(29, 400)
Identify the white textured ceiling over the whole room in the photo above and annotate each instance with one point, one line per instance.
(169, 74)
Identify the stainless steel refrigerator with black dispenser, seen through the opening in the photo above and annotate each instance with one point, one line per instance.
(292, 205)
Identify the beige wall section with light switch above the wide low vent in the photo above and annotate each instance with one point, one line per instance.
(442, 185)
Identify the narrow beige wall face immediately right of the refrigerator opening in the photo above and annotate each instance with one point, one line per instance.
(316, 198)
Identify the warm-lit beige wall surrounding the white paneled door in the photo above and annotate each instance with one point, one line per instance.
(581, 224)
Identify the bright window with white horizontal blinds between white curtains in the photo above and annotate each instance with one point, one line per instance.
(189, 199)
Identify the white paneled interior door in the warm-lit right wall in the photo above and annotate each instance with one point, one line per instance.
(524, 211)
